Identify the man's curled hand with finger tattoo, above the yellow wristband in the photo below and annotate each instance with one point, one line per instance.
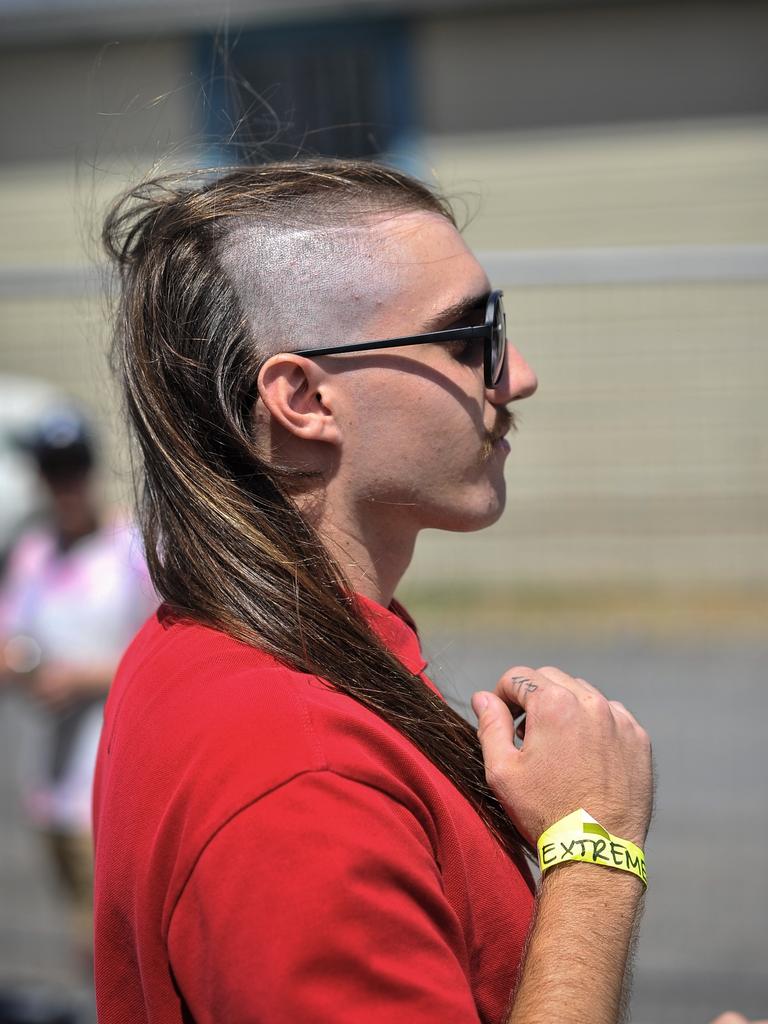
(580, 751)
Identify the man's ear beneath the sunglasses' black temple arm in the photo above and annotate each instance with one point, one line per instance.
(301, 398)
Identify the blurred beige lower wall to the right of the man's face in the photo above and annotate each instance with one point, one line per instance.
(644, 456)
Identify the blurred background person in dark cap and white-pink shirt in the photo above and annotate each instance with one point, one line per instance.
(75, 591)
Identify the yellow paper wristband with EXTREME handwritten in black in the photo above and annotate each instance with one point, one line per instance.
(579, 837)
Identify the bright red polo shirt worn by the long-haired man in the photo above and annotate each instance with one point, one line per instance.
(269, 850)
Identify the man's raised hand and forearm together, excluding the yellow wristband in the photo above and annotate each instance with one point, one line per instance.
(580, 750)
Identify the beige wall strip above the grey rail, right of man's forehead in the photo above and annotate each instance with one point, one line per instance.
(698, 183)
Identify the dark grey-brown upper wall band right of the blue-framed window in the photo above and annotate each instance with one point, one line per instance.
(592, 64)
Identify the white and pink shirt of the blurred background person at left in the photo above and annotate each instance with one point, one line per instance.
(82, 607)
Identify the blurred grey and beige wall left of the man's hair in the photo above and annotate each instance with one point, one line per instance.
(79, 121)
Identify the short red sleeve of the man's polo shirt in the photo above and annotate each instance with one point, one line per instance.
(322, 902)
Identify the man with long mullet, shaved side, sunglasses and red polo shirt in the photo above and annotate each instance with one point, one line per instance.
(292, 825)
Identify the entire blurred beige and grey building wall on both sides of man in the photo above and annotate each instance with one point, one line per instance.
(615, 161)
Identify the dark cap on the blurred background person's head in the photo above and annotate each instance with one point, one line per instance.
(62, 445)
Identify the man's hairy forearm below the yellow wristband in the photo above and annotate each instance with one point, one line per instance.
(580, 948)
